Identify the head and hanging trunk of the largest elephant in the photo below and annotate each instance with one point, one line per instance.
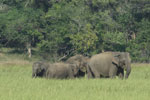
(122, 59)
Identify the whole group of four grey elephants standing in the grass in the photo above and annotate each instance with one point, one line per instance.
(103, 65)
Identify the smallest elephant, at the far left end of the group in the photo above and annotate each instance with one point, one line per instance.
(39, 69)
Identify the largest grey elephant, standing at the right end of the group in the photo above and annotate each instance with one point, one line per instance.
(109, 64)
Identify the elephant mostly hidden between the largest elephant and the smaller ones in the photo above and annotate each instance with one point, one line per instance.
(82, 61)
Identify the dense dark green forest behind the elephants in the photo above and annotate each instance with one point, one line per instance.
(66, 27)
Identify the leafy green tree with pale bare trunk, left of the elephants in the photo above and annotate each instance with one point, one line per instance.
(21, 28)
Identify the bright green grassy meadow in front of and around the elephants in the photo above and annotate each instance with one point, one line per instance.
(16, 83)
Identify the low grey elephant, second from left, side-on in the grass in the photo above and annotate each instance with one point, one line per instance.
(62, 71)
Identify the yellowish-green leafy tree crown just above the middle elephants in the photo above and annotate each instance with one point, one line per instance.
(84, 42)
